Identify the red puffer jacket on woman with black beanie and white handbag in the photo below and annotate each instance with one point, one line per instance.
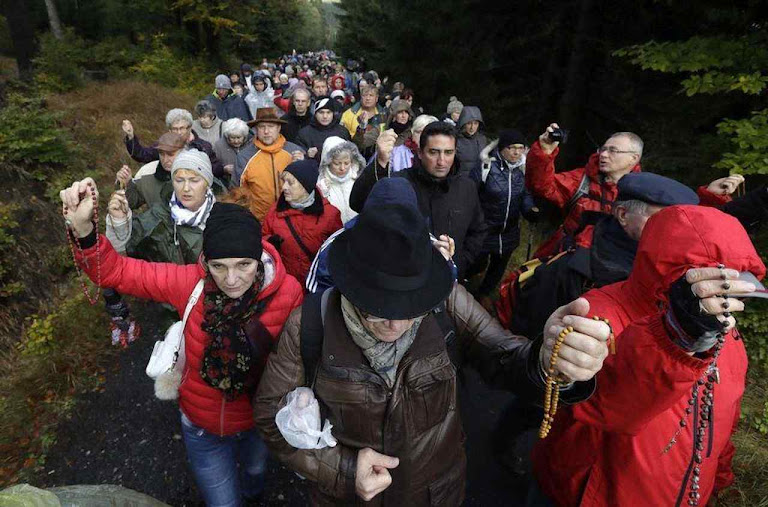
(173, 284)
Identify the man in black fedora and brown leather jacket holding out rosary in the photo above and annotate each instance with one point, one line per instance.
(375, 352)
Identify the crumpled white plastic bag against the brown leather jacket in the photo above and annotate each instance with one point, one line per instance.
(299, 421)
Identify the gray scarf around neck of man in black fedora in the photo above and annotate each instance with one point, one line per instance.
(384, 357)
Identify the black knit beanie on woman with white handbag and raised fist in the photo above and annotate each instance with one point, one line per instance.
(231, 231)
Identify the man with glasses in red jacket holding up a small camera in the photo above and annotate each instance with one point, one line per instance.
(592, 187)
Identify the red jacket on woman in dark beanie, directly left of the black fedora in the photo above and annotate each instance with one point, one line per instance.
(312, 229)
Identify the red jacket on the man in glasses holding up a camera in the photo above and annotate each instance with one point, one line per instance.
(558, 188)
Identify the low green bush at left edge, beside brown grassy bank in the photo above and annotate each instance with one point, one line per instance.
(31, 138)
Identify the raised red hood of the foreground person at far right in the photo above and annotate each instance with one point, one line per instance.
(703, 237)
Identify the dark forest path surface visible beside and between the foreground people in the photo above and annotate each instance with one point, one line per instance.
(126, 436)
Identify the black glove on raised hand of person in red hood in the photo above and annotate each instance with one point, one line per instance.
(690, 326)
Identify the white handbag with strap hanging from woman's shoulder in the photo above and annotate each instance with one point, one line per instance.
(166, 364)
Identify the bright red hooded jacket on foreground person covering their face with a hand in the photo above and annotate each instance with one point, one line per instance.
(609, 450)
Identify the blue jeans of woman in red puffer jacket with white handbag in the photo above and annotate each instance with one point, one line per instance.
(225, 468)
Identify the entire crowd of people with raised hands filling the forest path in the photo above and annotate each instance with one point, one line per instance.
(354, 246)
